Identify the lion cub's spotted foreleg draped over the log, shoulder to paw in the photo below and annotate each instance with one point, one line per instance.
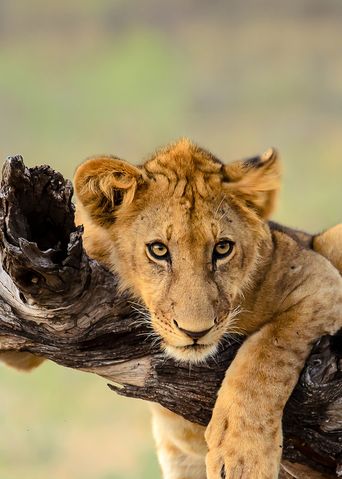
(244, 435)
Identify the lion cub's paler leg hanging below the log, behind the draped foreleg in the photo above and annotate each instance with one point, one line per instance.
(181, 447)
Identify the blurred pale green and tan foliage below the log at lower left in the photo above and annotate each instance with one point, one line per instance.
(61, 424)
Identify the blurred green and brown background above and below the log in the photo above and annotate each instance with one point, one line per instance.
(124, 77)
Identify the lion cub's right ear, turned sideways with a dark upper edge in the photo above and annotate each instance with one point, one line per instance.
(256, 180)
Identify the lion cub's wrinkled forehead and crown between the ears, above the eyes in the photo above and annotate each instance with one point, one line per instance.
(183, 191)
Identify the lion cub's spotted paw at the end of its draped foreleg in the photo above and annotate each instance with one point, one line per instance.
(239, 452)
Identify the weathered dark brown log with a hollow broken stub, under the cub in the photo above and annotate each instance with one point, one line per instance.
(57, 303)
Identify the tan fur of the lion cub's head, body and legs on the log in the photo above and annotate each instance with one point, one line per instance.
(271, 287)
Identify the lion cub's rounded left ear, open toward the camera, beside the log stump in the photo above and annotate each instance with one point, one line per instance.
(105, 184)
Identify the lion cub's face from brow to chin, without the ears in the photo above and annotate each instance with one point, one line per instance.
(188, 258)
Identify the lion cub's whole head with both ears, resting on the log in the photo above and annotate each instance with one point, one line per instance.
(185, 236)
